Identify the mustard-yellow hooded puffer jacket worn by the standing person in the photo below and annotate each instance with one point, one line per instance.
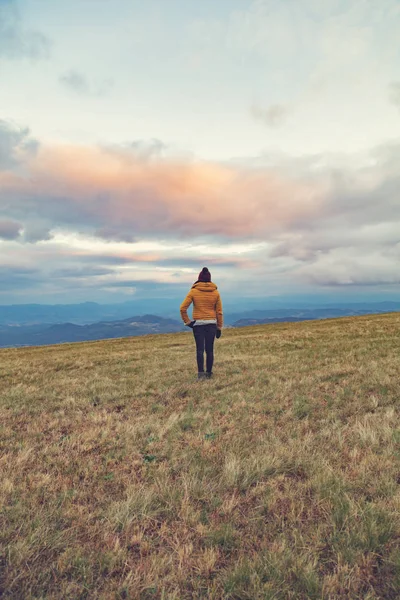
(206, 303)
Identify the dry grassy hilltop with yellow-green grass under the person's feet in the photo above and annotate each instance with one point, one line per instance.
(124, 477)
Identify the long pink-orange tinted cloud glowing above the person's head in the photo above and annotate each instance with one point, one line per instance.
(116, 191)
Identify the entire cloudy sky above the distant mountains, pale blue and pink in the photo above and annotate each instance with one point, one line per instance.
(141, 141)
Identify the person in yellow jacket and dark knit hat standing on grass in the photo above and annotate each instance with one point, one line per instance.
(207, 319)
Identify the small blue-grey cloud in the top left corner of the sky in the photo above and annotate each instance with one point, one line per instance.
(16, 42)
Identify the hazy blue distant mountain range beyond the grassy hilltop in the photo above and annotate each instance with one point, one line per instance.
(14, 334)
